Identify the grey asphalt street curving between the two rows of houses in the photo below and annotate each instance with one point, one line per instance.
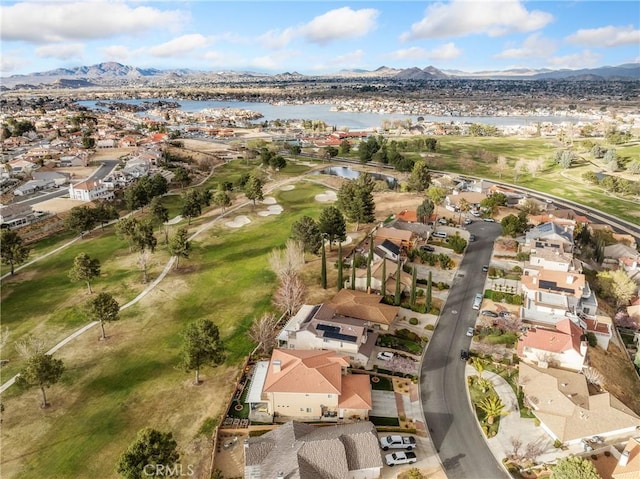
(452, 424)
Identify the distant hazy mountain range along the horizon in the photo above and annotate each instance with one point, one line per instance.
(115, 74)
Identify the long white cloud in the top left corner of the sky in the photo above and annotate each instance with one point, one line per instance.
(47, 22)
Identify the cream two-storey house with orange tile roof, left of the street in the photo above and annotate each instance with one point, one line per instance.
(312, 385)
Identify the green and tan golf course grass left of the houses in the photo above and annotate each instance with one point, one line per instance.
(113, 388)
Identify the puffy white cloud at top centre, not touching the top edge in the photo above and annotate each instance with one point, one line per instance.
(339, 24)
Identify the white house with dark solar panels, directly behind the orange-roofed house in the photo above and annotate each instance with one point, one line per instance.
(319, 327)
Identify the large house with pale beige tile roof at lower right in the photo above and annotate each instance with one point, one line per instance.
(561, 401)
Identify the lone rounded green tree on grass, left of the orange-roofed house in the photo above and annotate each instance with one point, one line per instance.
(202, 345)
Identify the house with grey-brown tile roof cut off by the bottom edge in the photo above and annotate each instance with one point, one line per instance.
(300, 451)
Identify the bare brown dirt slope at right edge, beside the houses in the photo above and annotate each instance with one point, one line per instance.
(619, 377)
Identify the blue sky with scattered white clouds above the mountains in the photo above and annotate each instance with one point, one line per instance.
(318, 37)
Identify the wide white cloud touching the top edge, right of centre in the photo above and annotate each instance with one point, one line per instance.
(464, 17)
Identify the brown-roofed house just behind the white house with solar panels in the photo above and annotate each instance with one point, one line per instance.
(364, 306)
